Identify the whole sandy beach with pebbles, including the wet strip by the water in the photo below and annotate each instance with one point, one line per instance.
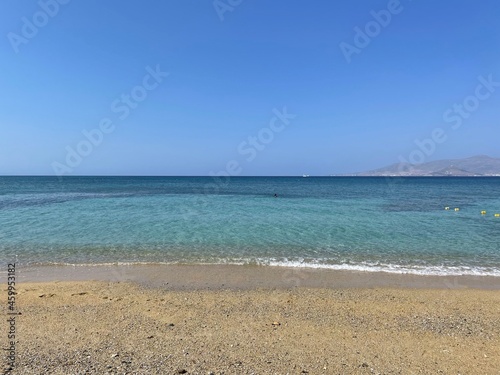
(252, 320)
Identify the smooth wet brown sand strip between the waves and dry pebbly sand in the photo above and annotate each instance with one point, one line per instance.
(248, 277)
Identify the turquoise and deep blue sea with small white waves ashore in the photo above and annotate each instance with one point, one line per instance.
(353, 223)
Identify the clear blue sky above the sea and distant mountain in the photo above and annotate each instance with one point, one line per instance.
(226, 76)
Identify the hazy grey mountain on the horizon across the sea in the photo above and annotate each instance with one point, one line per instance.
(473, 166)
